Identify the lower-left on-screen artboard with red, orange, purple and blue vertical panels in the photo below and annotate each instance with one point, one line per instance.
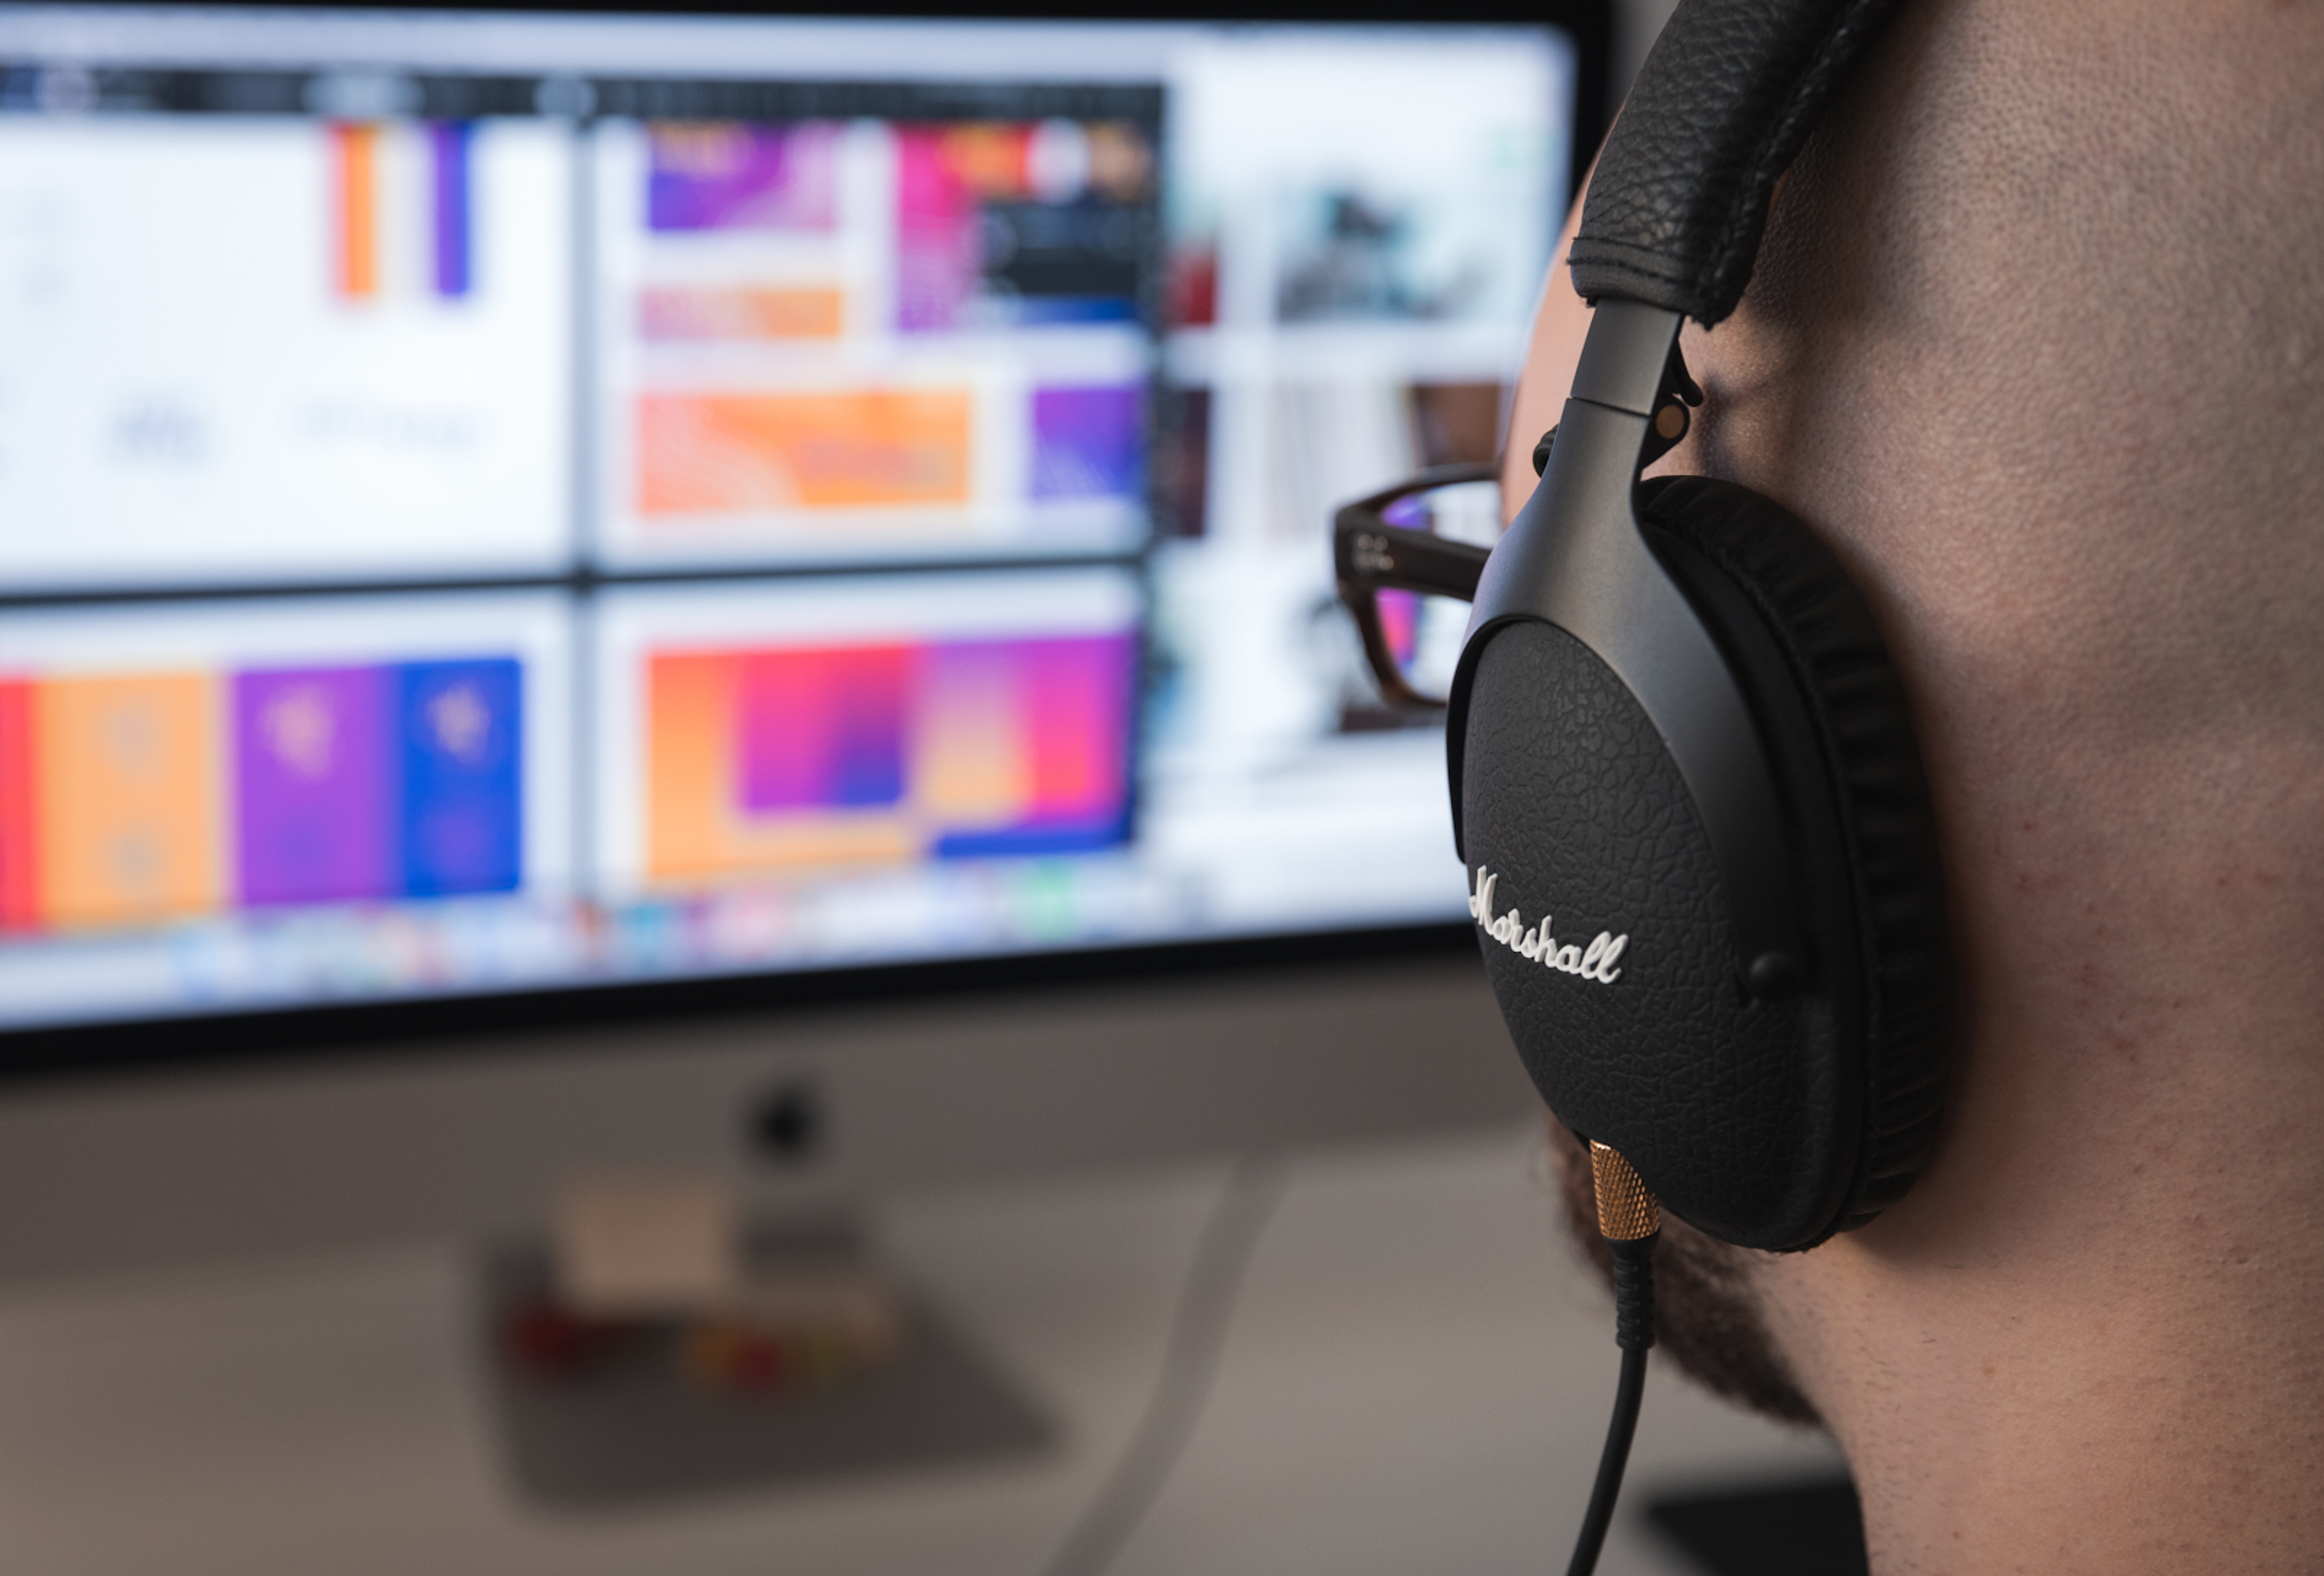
(166, 768)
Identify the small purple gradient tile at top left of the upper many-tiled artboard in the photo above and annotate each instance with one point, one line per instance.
(743, 178)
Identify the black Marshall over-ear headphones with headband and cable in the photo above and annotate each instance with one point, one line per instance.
(1684, 780)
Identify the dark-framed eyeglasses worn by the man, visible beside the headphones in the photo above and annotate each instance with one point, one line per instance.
(1407, 573)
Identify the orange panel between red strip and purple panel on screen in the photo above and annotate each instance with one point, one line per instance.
(127, 798)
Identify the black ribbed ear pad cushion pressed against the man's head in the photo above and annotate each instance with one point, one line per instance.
(1816, 671)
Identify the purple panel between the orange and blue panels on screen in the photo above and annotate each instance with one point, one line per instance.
(315, 787)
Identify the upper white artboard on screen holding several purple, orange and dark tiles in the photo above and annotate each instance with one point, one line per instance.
(831, 341)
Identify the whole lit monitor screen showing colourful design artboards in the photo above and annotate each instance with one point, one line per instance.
(501, 503)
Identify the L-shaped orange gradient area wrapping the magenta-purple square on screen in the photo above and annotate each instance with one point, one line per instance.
(694, 829)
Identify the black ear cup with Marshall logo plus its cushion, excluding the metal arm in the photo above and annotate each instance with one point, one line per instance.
(1770, 1122)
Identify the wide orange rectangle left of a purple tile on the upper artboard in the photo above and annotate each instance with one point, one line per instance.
(740, 454)
